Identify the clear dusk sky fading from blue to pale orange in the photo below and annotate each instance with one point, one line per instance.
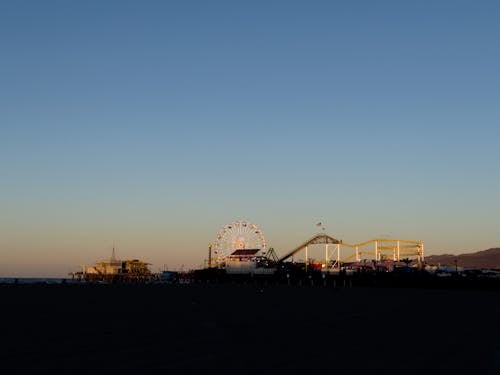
(152, 124)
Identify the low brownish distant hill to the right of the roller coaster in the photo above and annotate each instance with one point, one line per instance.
(482, 259)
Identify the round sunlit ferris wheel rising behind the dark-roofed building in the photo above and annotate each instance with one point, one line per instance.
(238, 235)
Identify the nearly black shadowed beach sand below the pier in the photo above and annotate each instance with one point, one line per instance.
(84, 329)
